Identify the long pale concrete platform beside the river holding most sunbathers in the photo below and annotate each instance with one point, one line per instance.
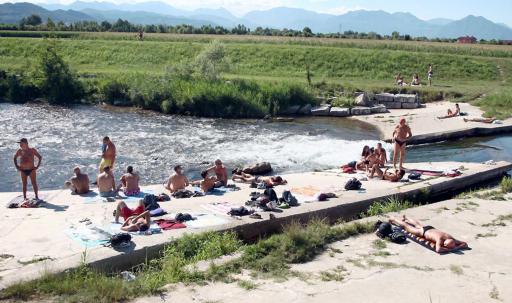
(30, 235)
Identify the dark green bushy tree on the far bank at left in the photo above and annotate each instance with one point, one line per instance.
(58, 83)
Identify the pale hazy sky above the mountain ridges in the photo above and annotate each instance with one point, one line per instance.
(495, 10)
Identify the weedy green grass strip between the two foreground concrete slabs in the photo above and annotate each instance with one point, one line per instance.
(270, 257)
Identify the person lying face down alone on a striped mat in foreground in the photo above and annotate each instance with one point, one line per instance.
(440, 241)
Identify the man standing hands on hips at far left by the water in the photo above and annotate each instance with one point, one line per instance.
(26, 165)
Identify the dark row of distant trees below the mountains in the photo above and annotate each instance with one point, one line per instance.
(35, 23)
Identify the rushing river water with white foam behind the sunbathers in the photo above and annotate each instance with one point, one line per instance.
(153, 143)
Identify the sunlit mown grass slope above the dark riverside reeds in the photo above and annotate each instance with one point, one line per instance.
(464, 71)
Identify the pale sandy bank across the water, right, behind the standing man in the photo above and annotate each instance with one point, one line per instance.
(427, 128)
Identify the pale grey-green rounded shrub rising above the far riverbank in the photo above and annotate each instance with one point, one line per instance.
(212, 61)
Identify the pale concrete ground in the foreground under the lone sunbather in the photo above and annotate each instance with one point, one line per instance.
(362, 272)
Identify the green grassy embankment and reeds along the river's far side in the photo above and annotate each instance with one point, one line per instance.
(246, 76)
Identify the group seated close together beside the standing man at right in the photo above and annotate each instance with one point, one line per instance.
(373, 162)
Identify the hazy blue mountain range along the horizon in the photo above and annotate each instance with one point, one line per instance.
(380, 22)
